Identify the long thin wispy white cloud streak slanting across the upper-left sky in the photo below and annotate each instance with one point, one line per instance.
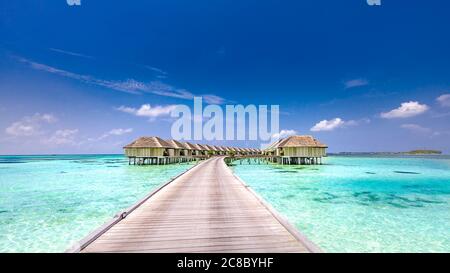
(129, 86)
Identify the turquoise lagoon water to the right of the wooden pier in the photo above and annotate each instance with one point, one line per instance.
(362, 204)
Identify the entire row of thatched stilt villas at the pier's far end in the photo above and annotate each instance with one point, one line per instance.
(293, 150)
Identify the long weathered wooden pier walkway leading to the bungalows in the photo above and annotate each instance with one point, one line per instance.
(207, 209)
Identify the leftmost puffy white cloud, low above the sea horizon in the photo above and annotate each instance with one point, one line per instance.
(30, 126)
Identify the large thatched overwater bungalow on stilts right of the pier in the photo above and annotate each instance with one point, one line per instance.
(297, 150)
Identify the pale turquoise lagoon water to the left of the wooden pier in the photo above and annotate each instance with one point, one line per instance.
(48, 203)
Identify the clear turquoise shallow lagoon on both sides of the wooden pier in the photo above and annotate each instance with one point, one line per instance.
(360, 204)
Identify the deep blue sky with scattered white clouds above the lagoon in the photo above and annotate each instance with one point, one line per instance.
(77, 79)
